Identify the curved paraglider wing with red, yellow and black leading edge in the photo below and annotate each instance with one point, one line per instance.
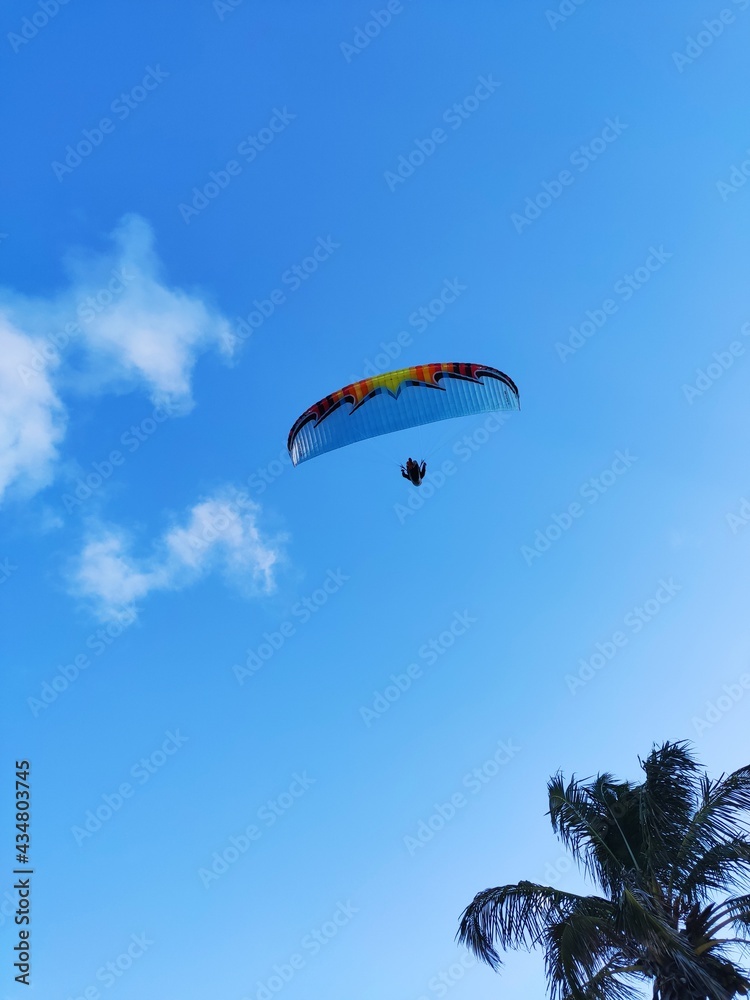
(397, 400)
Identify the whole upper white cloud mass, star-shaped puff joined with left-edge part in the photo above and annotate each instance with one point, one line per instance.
(116, 326)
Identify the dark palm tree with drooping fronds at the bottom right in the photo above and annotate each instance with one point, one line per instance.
(671, 857)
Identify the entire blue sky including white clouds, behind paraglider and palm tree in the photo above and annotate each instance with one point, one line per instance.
(230, 627)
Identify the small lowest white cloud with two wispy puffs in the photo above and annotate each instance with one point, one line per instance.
(220, 533)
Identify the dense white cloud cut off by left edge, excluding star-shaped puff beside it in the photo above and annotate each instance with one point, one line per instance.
(32, 422)
